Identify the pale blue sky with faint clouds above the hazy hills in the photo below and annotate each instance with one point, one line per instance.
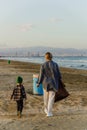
(52, 23)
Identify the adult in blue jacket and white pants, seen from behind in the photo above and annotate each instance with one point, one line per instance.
(49, 77)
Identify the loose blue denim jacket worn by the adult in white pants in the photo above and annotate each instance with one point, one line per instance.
(49, 75)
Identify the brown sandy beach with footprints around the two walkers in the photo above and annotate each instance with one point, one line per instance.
(69, 113)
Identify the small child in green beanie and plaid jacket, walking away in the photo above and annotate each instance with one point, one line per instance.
(19, 94)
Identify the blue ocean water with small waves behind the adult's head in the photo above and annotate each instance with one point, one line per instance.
(78, 62)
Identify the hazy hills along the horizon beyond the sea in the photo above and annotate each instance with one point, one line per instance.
(40, 51)
